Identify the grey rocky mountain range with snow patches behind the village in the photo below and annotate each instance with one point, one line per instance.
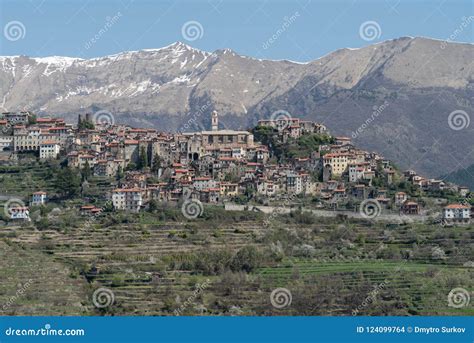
(394, 97)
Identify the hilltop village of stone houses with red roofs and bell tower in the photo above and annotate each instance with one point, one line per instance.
(279, 160)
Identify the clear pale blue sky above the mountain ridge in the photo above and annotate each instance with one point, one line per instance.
(298, 30)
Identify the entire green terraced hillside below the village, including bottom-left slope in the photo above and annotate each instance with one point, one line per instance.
(225, 263)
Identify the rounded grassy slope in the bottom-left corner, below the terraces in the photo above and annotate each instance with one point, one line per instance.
(32, 283)
